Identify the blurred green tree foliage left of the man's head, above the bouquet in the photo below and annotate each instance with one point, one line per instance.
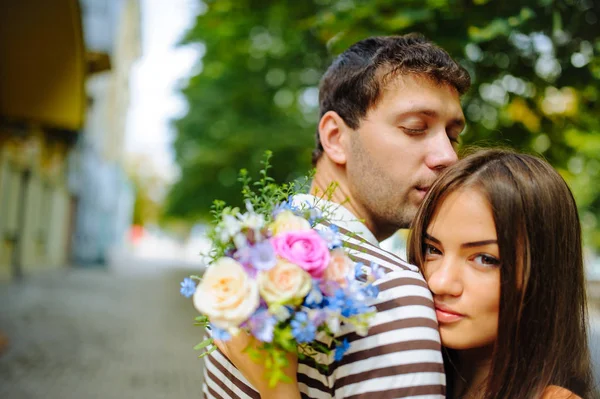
(256, 91)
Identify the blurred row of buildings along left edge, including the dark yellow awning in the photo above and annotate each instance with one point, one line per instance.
(63, 105)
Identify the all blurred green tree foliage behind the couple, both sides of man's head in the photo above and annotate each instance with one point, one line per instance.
(535, 66)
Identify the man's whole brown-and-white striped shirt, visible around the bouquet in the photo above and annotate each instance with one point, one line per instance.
(399, 358)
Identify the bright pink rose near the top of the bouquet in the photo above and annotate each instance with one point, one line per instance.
(304, 248)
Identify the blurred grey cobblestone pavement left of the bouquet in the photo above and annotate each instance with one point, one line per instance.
(123, 332)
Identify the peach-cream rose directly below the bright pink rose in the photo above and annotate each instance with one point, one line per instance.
(284, 283)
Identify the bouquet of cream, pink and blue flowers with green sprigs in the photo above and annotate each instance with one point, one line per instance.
(279, 271)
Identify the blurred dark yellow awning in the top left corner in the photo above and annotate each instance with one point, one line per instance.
(43, 63)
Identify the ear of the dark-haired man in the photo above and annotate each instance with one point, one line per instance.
(334, 136)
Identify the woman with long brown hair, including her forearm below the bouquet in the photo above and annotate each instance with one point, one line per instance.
(498, 240)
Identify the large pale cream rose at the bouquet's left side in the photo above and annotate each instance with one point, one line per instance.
(226, 294)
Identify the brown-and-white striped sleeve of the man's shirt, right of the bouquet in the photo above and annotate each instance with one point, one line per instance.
(401, 355)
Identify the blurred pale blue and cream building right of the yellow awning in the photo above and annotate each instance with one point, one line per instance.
(105, 194)
